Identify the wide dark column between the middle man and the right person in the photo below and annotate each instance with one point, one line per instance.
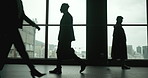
(96, 32)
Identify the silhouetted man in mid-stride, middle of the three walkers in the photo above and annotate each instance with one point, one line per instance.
(65, 37)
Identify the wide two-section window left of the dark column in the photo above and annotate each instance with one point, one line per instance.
(35, 41)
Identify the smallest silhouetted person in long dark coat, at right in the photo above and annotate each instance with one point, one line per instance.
(119, 48)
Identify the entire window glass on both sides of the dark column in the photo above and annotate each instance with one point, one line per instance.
(43, 43)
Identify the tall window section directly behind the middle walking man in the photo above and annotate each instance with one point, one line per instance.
(78, 11)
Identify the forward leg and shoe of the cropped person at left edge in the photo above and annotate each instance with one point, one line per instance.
(19, 45)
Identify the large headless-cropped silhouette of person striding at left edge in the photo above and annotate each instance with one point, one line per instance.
(13, 16)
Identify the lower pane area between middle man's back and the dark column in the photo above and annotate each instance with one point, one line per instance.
(80, 43)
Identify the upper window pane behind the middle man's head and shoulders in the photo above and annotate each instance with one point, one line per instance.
(77, 9)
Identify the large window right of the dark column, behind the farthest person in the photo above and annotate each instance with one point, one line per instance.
(134, 23)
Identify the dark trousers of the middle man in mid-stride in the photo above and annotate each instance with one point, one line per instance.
(65, 52)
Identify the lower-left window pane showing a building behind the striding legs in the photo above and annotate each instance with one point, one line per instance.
(34, 41)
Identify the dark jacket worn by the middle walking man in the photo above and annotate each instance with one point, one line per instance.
(66, 32)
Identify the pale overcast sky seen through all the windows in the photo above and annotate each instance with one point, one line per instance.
(133, 12)
